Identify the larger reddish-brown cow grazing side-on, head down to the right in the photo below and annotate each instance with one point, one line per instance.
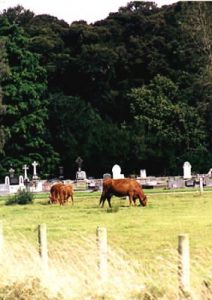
(120, 188)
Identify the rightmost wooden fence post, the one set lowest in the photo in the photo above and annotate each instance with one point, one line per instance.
(184, 264)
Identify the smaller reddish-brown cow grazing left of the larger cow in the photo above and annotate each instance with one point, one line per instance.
(60, 193)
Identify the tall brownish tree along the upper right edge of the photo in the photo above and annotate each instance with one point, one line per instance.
(198, 26)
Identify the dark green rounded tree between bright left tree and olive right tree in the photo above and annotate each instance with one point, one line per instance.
(80, 131)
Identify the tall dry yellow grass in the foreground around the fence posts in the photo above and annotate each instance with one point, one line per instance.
(73, 274)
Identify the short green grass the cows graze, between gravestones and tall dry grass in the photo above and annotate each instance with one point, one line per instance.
(142, 232)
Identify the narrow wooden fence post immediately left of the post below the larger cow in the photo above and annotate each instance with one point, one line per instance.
(43, 249)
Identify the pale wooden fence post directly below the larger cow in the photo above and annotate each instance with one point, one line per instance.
(101, 233)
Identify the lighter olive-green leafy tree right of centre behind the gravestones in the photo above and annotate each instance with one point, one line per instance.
(173, 131)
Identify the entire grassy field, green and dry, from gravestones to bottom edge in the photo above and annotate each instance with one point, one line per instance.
(142, 242)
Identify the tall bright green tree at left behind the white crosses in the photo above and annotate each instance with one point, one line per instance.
(27, 104)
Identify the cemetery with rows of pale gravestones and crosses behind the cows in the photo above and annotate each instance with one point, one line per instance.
(13, 183)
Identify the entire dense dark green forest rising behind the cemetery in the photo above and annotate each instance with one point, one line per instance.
(133, 89)
